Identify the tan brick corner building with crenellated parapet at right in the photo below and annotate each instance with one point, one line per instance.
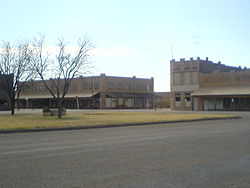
(204, 85)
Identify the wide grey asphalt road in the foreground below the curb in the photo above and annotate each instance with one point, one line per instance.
(195, 154)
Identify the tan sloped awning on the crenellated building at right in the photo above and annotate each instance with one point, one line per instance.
(223, 91)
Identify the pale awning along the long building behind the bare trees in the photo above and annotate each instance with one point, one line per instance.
(70, 95)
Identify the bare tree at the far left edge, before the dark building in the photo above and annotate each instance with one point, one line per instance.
(15, 69)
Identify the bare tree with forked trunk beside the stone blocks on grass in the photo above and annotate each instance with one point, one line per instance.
(62, 68)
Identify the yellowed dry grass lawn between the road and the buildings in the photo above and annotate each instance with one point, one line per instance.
(73, 119)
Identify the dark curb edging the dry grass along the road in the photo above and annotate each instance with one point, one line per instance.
(106, 126)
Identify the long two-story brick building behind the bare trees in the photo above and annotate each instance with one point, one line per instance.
(97, 92)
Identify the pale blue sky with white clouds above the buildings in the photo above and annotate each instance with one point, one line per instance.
(137, 37)
